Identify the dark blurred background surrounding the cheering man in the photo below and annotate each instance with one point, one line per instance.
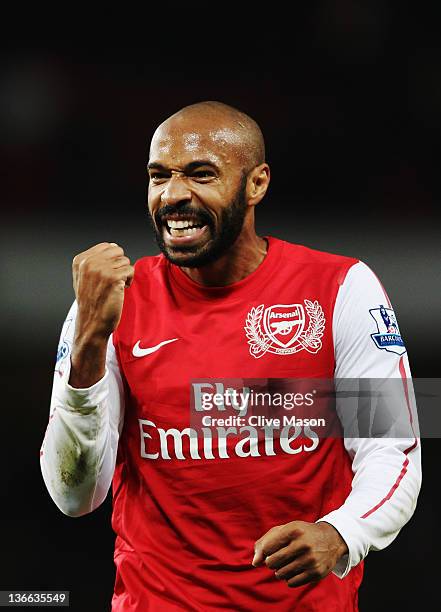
(349, 100)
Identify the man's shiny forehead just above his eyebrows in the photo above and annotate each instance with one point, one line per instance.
(178, 142)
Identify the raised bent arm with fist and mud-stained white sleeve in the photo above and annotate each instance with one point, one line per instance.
(79, 450)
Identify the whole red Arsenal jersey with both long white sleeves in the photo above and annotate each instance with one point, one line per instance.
(188, 502)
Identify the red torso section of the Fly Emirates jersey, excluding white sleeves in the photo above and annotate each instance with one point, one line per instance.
(186, 526)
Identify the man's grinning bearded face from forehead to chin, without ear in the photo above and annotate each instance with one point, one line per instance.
(197, 193)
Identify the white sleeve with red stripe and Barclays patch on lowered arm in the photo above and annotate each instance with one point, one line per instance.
(387, 469)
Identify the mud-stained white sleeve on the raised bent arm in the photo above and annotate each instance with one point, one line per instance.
(79, 449)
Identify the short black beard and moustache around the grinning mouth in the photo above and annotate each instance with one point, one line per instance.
(220, 240)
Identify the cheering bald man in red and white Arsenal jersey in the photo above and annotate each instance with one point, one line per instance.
(214, 519)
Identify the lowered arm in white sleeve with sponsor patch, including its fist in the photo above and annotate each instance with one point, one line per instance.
(386, 465)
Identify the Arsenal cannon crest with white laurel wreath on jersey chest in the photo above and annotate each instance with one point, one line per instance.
(280, 329)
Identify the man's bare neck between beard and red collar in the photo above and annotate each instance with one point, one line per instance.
(242, 259)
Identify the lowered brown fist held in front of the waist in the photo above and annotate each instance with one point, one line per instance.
(300, 552)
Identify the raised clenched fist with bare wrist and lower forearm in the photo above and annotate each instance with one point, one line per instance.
(100, 276)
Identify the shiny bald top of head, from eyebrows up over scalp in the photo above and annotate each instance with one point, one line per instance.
(212, 124)
